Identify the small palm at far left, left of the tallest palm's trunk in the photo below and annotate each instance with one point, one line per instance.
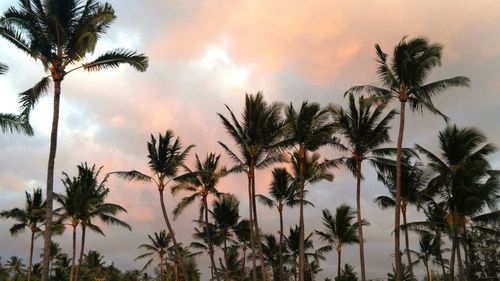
(30, 217)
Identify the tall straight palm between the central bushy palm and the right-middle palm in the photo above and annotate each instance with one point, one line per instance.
(306, 130)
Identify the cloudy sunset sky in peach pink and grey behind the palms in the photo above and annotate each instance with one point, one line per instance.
(207, 54)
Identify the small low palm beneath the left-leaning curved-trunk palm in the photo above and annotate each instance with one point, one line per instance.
(157, 247)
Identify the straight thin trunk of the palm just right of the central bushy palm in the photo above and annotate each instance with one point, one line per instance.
(302, 159)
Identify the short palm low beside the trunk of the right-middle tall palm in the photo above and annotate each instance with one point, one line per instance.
(339, 230)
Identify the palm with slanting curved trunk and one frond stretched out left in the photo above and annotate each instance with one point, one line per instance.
(166, 156)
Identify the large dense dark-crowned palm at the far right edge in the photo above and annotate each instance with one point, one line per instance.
(463, 179)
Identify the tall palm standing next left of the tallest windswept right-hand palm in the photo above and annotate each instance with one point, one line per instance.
(364, 128)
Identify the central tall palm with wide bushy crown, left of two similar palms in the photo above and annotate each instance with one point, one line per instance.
(256, 137)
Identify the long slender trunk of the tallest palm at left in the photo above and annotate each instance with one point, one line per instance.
(50, 182)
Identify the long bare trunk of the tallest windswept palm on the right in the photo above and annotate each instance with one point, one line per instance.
(397, 253)
